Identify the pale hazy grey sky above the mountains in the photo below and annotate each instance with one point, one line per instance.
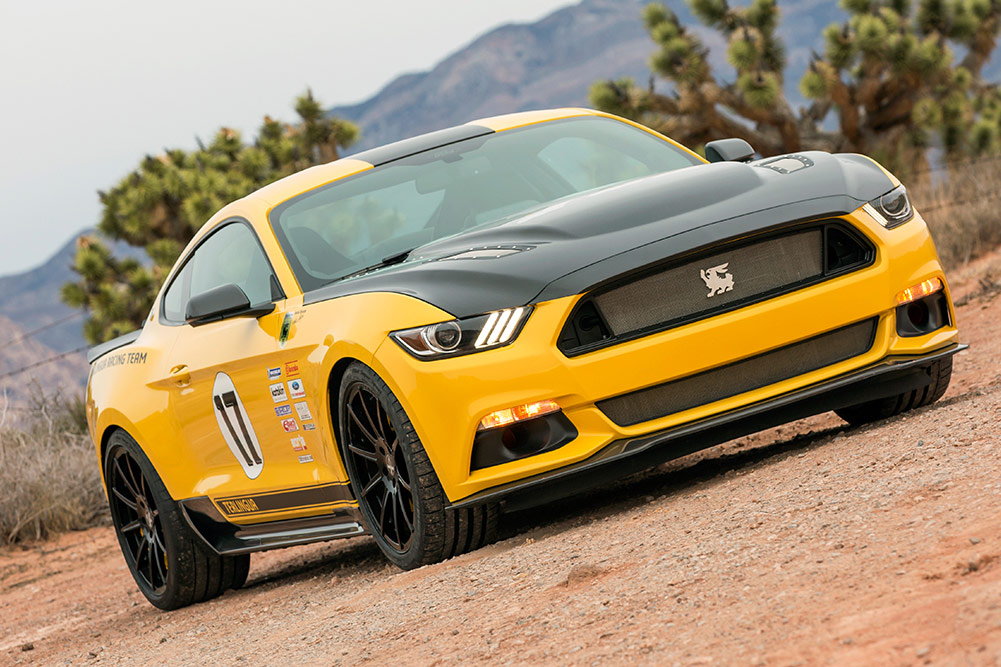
(89, 89)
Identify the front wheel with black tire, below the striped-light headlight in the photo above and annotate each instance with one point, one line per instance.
(401, 498)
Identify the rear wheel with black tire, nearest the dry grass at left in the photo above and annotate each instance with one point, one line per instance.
(171, 564)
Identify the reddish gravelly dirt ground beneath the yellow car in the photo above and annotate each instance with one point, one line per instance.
(808, 544)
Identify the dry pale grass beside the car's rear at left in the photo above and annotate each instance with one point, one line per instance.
(50, 477)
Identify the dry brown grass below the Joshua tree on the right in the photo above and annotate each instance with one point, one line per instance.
(962, 209)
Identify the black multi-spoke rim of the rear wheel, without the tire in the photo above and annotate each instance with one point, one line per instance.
(139, 521)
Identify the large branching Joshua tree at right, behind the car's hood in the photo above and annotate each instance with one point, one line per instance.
(889, 77)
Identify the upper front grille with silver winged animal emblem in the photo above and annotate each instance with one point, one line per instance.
(713, 282)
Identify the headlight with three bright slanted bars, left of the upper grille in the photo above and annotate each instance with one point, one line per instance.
(464, 337)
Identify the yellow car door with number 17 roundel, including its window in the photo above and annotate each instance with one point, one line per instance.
(237, 415)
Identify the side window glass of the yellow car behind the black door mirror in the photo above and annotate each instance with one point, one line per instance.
(231, 255)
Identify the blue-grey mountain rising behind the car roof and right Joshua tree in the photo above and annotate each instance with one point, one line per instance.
(553, 64)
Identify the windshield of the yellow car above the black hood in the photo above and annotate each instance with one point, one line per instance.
(343, 229)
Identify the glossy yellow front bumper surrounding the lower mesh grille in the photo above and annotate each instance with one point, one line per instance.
(447, 399)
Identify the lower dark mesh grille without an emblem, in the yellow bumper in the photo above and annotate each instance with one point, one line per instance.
(735, 379)
